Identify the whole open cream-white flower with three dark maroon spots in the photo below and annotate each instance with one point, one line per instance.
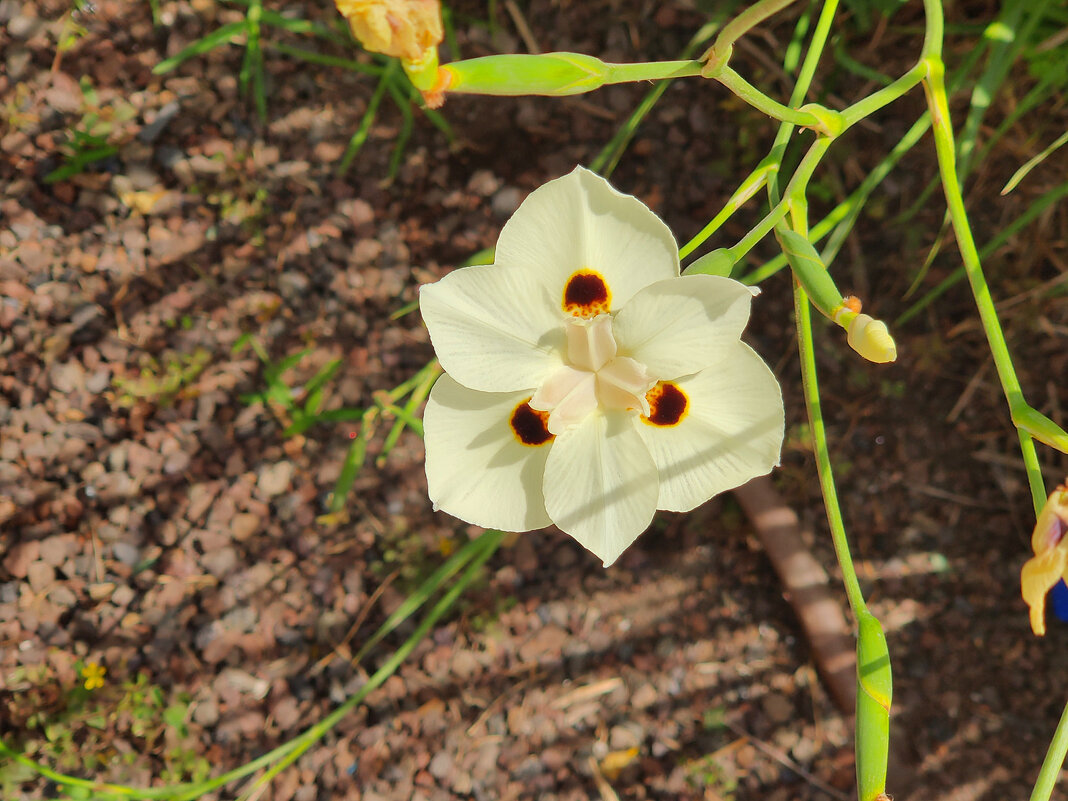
(588, 384)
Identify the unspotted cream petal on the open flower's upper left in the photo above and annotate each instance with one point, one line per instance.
(494, 328)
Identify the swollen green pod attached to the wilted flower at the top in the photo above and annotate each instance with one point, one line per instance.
(556, 75)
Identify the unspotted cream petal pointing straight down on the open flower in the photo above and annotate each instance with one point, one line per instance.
(601, 484)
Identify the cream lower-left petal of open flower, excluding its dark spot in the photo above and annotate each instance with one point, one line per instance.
(477, 469)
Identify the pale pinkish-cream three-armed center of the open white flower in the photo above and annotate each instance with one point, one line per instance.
(594, 378)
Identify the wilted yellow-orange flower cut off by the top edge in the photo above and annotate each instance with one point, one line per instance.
(406, 29)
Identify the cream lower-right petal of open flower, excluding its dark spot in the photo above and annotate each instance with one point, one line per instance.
(732, 432)
